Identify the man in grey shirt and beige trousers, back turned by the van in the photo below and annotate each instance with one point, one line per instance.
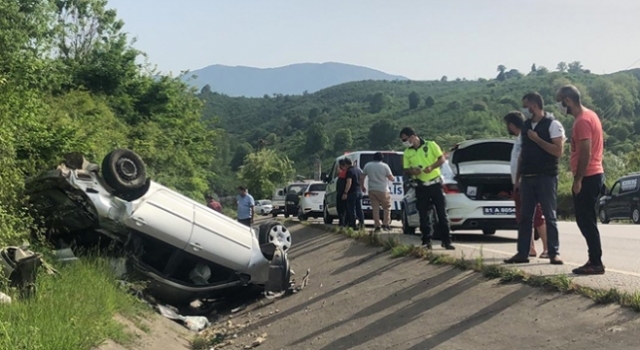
(379, 175)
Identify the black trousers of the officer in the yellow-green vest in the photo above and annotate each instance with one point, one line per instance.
(426, 196)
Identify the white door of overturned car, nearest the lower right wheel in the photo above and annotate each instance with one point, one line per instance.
(220, 239)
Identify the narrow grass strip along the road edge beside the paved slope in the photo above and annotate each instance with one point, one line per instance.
(558, 283)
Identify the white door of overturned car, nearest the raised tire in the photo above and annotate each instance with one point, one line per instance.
(166, 216)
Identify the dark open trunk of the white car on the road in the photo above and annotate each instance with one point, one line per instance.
(486, 184)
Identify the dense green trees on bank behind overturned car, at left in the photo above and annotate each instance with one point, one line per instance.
(70, 80)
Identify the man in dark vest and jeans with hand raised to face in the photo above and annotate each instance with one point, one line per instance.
(543, 140)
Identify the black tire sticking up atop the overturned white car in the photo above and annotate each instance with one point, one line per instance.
(124, 171)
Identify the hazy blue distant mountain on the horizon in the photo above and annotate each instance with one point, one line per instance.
(293, 79)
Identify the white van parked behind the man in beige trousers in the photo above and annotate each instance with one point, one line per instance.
(360, 159)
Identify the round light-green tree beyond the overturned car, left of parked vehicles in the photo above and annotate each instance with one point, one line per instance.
(263, 171)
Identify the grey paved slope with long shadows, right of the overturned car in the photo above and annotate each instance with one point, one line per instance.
(359, 297)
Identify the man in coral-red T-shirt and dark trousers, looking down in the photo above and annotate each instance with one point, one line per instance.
(588, 173)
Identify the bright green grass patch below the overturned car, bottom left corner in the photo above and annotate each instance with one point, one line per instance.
(73, 310)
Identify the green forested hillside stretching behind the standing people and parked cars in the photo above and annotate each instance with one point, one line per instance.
(369, 115)
